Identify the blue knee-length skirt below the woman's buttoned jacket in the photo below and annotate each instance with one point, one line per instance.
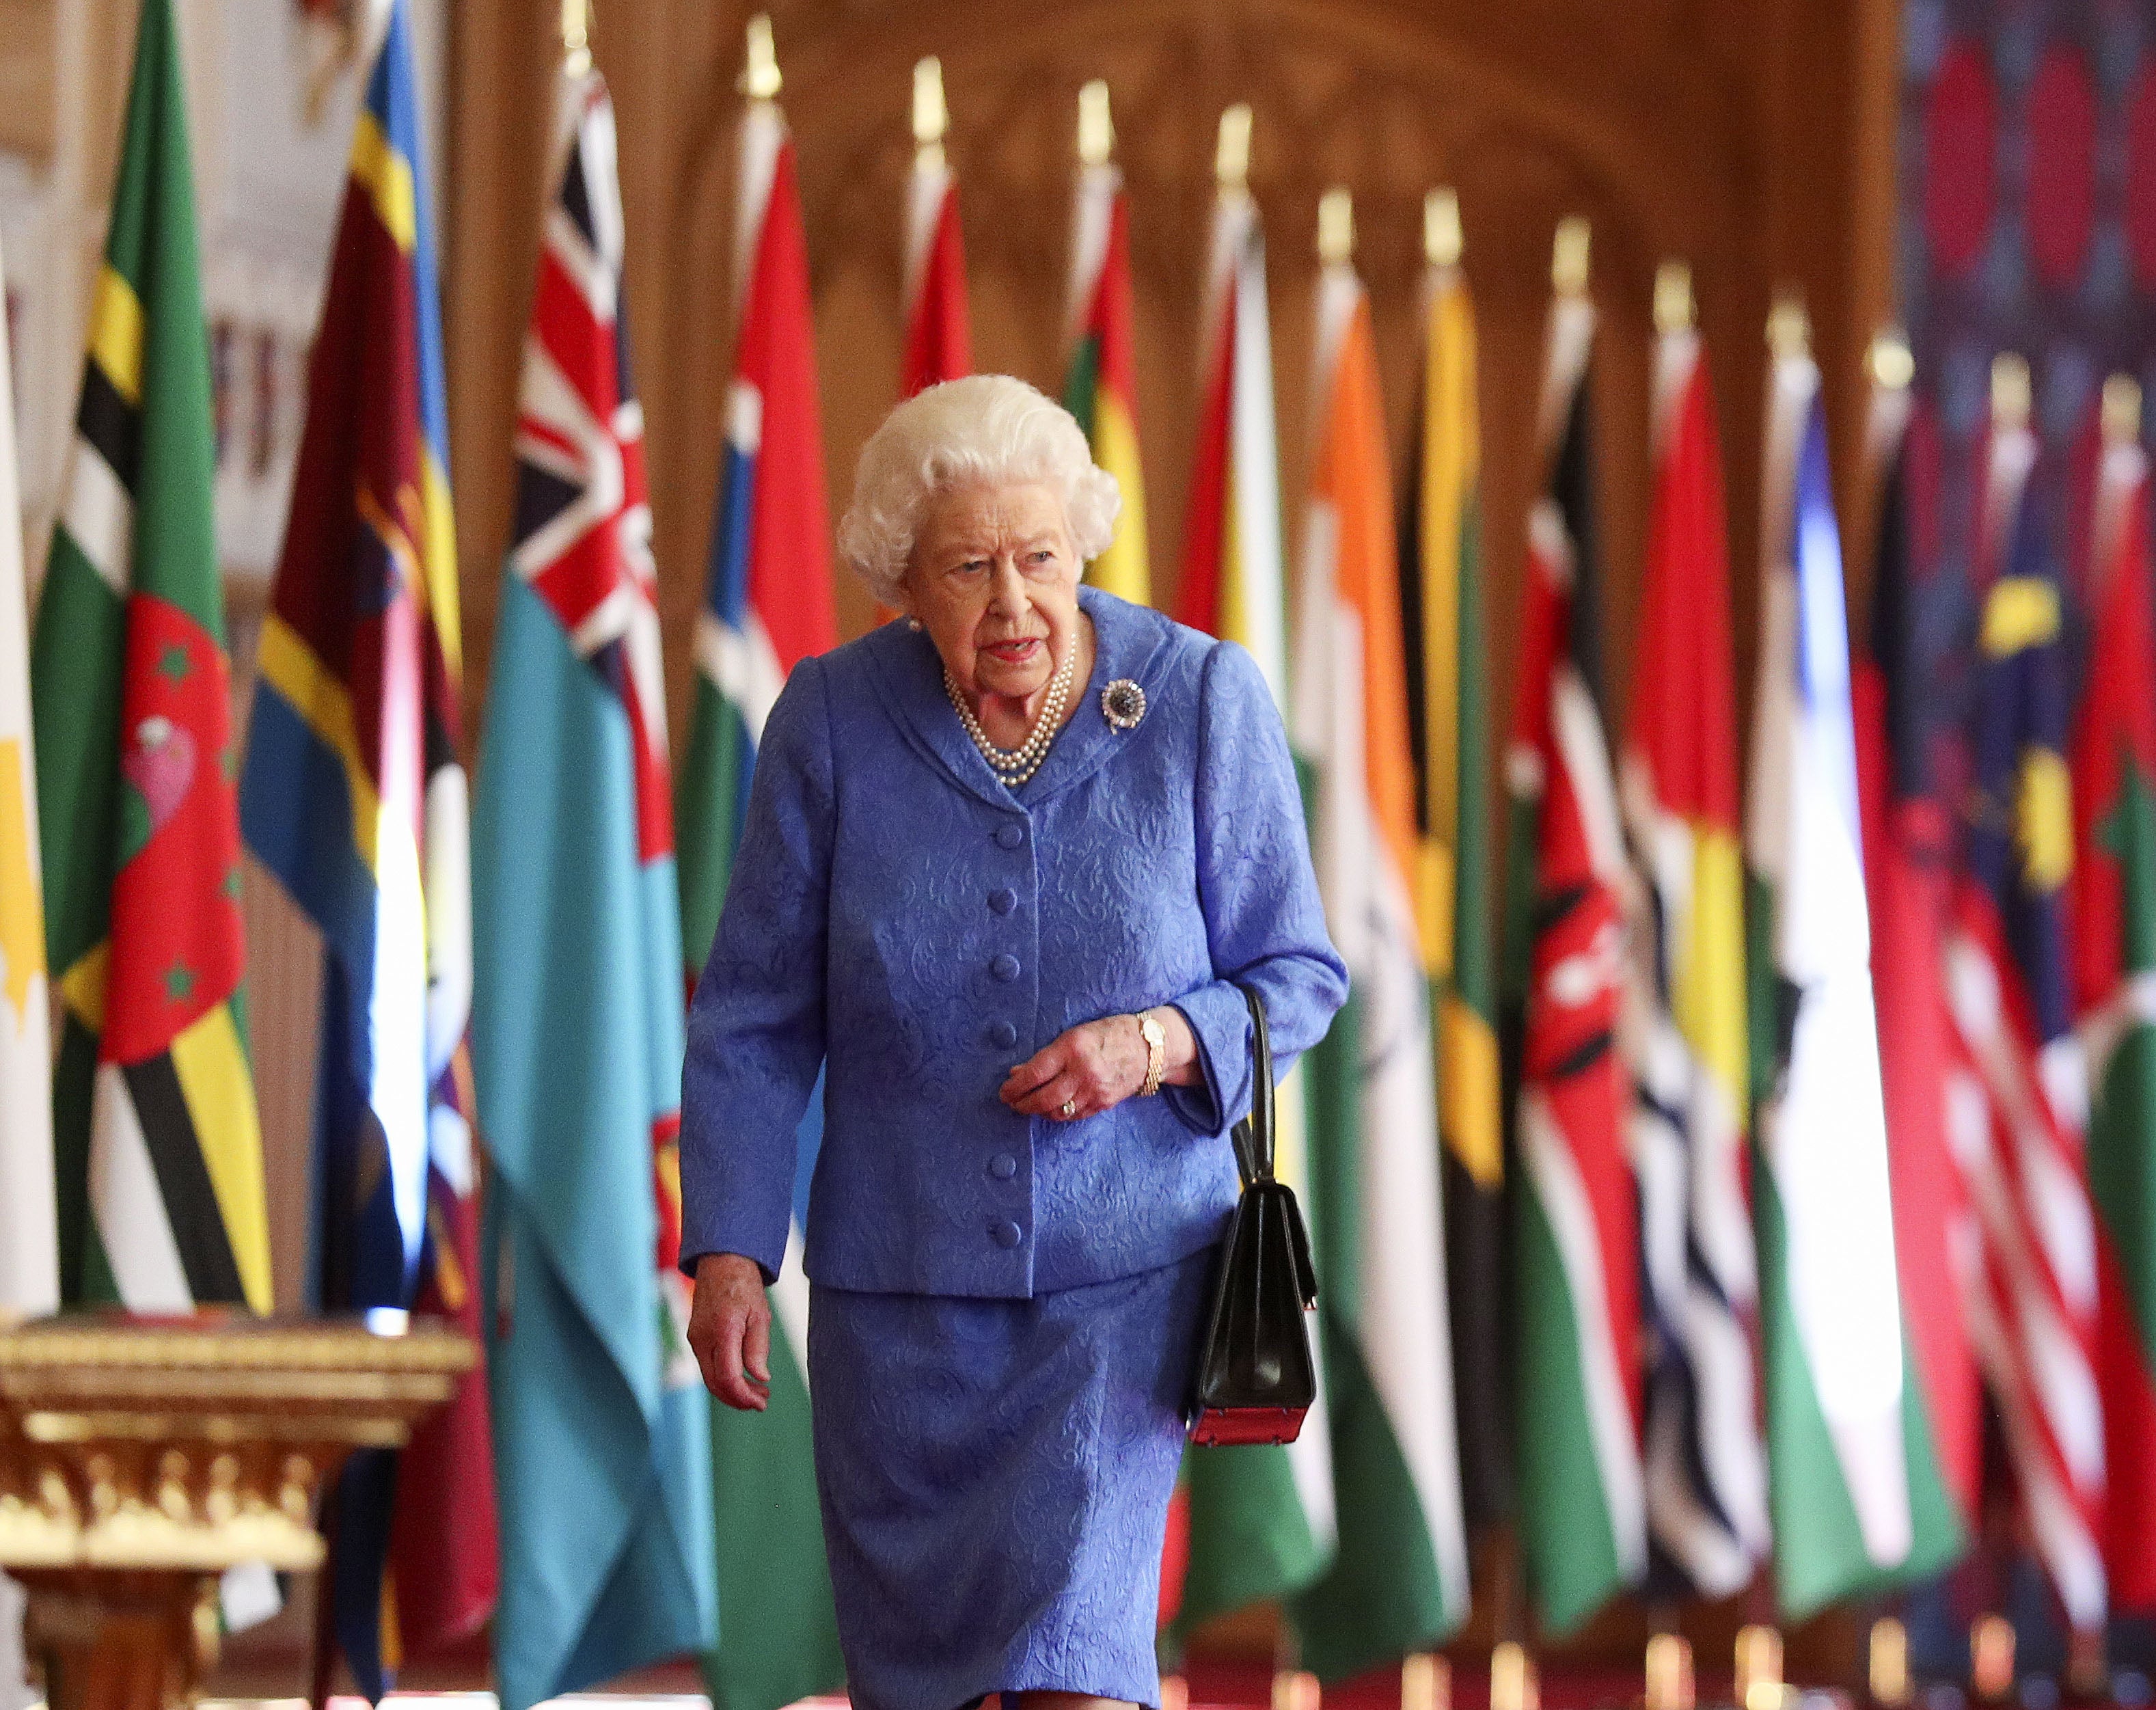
(997, 1480)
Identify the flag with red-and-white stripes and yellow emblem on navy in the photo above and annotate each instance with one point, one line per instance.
(2021, 1099)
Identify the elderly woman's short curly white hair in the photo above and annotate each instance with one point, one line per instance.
(991, 430)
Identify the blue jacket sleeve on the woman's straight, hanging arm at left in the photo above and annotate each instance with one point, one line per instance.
(756, 1028)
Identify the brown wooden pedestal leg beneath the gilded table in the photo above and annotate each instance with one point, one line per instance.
(122, 1640)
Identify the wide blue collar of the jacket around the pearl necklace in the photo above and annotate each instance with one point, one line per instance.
(909, 678)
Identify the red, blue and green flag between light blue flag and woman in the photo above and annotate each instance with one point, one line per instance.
(769, 609)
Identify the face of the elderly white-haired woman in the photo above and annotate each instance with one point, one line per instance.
(995, 583)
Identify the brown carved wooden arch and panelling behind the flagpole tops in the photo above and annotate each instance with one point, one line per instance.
(1747, 137)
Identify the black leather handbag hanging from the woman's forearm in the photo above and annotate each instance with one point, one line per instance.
(1256, 1373)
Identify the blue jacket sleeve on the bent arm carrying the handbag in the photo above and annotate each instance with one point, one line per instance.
(1258, 892)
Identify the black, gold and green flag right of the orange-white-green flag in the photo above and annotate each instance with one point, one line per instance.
(1441, 603)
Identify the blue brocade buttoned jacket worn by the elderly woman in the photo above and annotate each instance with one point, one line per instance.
(911, 926)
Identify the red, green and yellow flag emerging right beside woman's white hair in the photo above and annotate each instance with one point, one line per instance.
(1101, 385)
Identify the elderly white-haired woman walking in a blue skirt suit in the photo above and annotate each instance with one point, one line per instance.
(1001, 870)
